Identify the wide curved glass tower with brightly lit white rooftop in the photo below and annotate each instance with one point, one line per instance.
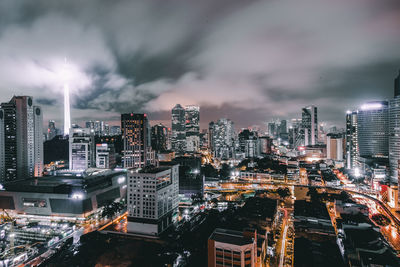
(373, 129)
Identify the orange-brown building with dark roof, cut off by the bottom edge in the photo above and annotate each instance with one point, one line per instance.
(232, 248)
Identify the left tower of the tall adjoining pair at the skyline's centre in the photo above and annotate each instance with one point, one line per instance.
(178, 138)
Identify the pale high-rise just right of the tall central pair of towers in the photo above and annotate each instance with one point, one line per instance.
(223, 138)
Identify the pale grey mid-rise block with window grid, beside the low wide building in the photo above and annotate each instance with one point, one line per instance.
(152, 199)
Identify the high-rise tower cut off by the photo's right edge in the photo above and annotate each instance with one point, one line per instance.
(394, 131)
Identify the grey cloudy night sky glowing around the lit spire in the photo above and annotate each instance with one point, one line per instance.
(247, 60)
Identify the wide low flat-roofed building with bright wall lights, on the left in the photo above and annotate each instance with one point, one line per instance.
(68, 194)
